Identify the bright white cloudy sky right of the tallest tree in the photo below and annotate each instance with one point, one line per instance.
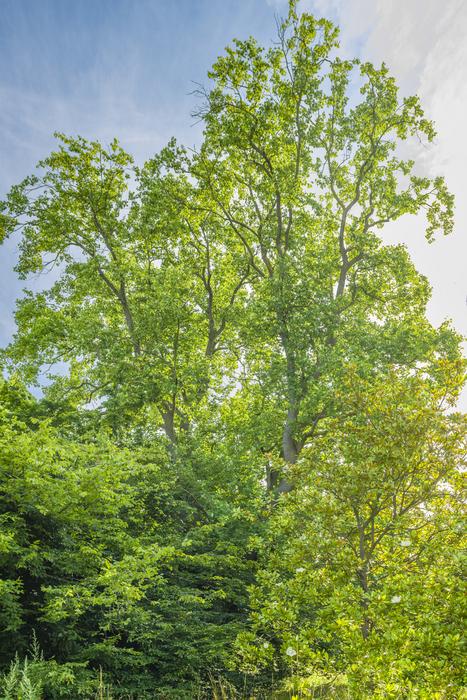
(423, 43)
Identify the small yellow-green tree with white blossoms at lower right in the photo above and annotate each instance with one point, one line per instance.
(363, 573)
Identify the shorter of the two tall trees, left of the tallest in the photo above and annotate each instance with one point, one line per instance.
(144, 285)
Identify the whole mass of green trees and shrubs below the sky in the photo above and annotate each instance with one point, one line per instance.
(242, 477)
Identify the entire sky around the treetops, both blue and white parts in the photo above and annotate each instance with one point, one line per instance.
(126, 68)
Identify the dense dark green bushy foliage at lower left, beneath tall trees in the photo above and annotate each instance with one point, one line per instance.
(115, 561)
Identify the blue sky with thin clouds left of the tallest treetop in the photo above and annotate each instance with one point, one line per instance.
(109, 67)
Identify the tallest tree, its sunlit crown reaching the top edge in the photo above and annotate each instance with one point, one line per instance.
(301, 159)
